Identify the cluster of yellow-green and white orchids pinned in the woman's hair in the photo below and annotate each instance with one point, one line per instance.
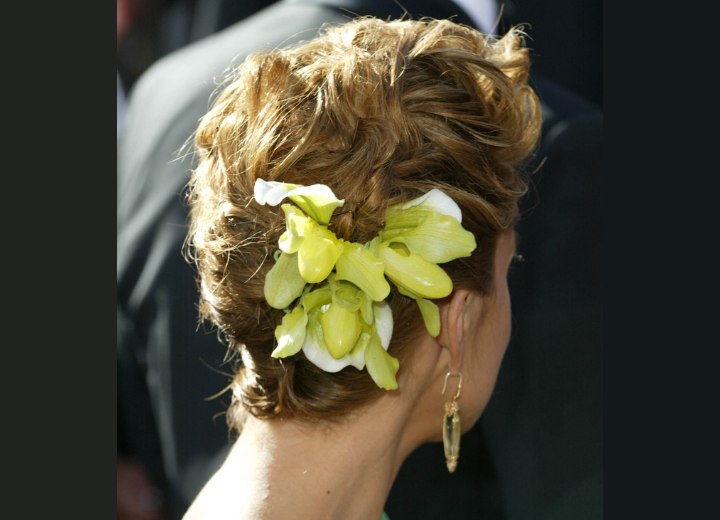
(333, 291)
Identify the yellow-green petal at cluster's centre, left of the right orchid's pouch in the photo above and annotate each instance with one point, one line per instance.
(359, 266)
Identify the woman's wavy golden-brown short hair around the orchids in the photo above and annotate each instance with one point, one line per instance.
(381, 112)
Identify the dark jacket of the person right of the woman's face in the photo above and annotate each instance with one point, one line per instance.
(544, 422)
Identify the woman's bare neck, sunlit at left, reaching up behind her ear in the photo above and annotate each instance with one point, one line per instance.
(287, 469)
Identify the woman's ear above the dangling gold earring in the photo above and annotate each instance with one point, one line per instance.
(454, 324)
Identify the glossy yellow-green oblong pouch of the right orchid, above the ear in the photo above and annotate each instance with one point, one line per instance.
(411, 271)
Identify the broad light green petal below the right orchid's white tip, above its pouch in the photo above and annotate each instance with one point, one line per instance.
(437, 238)
